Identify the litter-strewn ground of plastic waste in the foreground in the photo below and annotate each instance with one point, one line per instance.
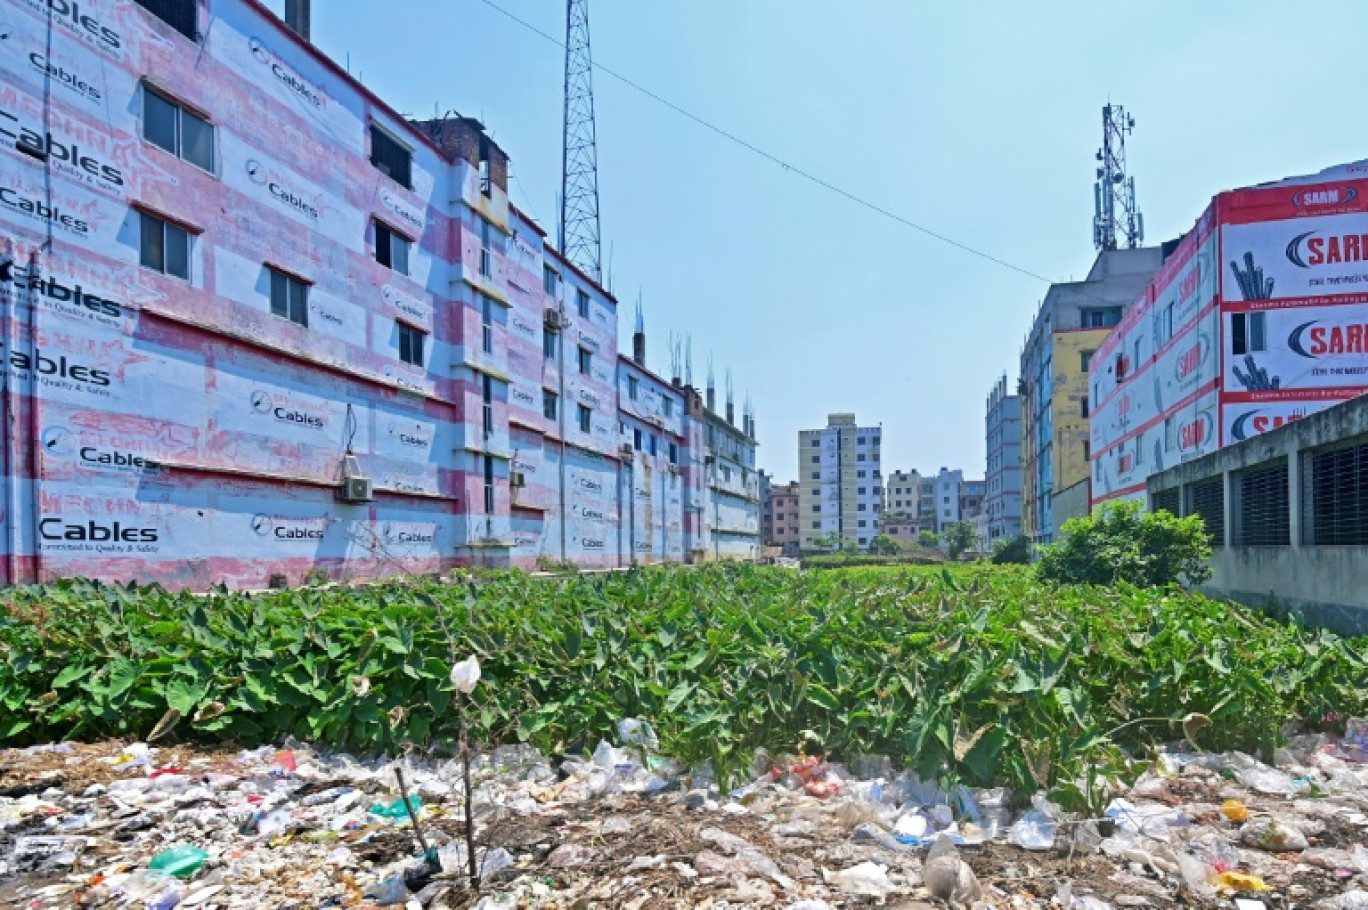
(293, 827)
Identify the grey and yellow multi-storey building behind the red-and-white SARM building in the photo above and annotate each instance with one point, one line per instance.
(1072, 324)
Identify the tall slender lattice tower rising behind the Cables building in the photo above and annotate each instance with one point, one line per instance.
(579, 148)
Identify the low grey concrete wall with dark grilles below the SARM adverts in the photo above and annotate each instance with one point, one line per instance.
(1288, 514)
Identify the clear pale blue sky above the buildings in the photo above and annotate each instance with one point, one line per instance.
(979, 121)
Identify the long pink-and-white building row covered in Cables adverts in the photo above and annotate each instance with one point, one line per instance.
(263, 326)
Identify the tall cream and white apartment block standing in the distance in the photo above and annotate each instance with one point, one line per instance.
(841, 482)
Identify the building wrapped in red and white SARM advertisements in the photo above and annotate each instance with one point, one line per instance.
(1257, 320)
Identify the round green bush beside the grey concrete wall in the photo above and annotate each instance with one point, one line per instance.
(1124, 544)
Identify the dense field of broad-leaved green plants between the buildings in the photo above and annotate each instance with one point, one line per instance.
(982, 675)
